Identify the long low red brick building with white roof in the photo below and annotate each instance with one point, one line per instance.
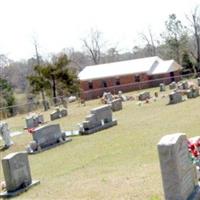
(127, 76)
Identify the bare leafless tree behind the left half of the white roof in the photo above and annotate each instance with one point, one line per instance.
(93, 44)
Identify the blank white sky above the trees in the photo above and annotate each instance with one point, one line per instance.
(59, 24)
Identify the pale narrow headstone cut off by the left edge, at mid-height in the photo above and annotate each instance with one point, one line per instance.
(5, 134)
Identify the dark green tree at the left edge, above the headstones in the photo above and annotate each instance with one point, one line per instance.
(6, 95)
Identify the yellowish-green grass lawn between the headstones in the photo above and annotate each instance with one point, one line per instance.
(117, 163)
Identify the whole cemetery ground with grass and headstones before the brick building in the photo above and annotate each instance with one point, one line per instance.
(118, 162)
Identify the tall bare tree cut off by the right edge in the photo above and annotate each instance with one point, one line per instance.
(194, 20)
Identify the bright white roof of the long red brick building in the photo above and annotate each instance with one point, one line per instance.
(148, 65)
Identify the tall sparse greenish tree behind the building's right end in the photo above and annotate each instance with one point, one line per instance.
(175, 37)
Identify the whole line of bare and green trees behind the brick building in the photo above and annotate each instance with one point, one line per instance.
(58, 75)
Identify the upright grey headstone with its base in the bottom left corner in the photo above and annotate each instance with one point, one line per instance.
(17, 174)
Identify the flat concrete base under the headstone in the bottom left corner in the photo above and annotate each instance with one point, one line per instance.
(17, 192)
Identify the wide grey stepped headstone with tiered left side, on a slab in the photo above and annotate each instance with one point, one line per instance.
(99, 119)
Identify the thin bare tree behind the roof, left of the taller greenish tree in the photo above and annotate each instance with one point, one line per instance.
(150, 43)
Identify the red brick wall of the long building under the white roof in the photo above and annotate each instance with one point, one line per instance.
(127, 83)
